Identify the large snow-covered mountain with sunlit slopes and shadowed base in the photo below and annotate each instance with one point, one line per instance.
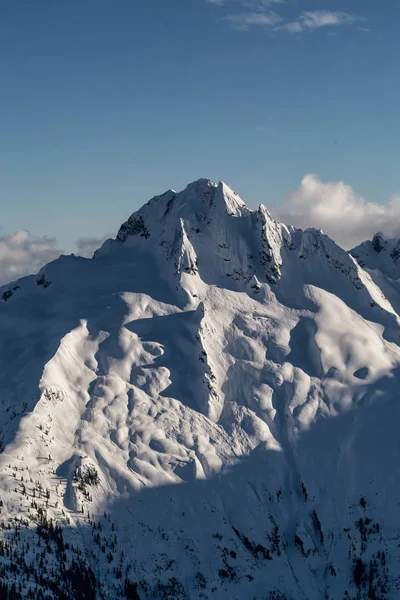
(208, 408)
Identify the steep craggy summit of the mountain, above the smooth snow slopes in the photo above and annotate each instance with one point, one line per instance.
(206, 234)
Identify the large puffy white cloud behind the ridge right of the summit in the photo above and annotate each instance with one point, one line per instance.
(339, 211)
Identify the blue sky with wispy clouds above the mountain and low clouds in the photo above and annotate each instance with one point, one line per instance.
(106, 103)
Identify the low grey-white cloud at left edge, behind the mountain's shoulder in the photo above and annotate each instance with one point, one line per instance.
(22, 254)
